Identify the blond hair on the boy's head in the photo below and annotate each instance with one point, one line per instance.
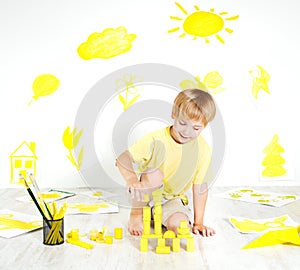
(196, 104)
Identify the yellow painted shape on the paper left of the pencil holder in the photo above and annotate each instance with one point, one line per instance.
(7, 222)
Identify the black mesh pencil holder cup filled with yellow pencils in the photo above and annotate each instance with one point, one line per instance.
(53, 231)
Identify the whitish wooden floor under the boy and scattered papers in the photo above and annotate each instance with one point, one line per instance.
(222, 251)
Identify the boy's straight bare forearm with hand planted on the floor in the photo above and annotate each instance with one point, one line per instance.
(200, 193)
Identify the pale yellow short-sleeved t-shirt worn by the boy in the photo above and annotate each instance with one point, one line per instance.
(181, 164)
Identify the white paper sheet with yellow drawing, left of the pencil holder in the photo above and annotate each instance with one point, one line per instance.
(14, 223)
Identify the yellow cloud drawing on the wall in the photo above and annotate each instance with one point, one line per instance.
(111, 42)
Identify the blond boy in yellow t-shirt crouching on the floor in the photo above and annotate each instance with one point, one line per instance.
(173, 159)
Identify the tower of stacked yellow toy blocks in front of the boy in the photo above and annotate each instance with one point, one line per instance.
(183, 230)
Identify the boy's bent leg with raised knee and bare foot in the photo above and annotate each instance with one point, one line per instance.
(151, 180)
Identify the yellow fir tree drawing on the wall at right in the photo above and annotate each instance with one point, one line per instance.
(273, 160)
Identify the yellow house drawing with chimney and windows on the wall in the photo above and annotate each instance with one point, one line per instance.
(22, 161)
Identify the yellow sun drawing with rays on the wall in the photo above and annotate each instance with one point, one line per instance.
(203, 24)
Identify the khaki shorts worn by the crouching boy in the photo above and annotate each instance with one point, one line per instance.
(173, 206)
